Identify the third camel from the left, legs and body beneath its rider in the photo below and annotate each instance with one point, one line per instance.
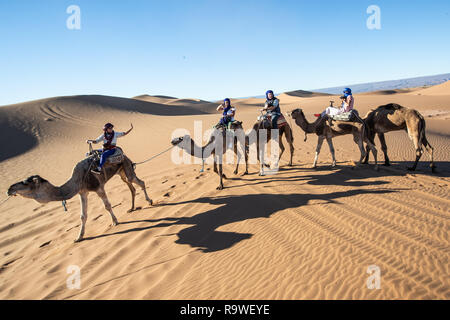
(264, 123)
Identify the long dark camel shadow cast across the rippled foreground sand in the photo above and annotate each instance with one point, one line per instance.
(202, 232)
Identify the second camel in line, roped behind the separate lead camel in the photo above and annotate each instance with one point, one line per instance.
(187, 144)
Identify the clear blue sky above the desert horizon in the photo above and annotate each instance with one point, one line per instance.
(214, 49)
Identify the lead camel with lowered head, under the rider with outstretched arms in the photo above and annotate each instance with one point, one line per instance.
(82, 182)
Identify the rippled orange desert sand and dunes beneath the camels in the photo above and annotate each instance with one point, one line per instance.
(301, 234)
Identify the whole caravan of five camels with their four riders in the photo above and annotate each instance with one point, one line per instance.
(92, 173)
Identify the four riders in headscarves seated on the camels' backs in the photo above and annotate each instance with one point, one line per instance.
(271, 107)
